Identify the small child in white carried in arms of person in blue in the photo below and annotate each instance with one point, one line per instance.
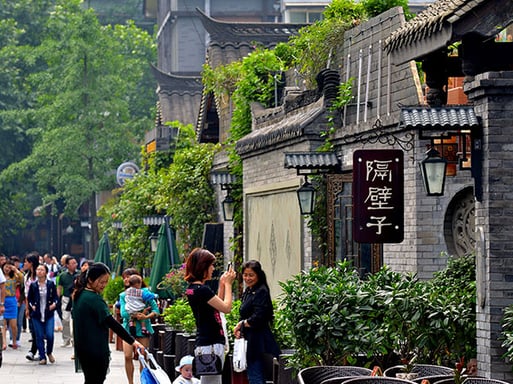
(136, 301)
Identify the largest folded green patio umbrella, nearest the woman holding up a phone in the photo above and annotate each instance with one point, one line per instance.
(165, 257)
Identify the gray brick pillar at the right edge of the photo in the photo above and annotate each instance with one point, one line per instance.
(492, 94)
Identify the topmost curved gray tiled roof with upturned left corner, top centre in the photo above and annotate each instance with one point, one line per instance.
(239, 31)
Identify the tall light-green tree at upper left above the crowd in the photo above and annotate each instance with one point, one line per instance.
(91, 104)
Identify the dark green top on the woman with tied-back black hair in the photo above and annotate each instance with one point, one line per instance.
(90, 330)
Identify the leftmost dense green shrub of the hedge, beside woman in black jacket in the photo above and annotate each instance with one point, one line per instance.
(320, 306)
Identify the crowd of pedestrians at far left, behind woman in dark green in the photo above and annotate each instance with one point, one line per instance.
(32, 295)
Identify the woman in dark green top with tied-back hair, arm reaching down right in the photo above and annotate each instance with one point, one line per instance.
(91, 323)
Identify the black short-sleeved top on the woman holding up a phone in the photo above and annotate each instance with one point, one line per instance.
(209, 329)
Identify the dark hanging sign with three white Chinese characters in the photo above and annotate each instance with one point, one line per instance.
(378, 196)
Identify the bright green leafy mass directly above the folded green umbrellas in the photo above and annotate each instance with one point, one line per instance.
(180, 190)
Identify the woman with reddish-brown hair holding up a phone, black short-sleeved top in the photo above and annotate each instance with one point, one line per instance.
(206, 305)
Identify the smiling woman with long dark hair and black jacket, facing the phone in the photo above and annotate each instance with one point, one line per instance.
(256, 314)
